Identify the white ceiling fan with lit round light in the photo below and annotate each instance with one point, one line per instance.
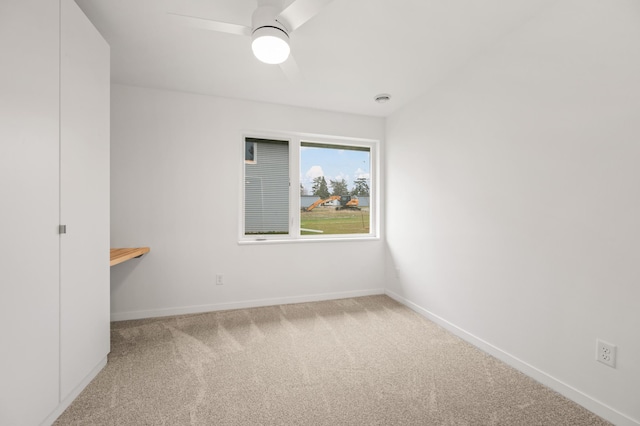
(271, 28)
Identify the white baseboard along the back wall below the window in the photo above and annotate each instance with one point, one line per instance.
(184, 310)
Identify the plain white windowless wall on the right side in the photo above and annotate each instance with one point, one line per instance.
(522, 171)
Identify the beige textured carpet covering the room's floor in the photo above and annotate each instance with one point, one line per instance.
(361, 361)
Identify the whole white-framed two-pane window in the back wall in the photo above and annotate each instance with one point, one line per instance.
(305, 189)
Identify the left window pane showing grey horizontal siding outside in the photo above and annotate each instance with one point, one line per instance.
(266, 188)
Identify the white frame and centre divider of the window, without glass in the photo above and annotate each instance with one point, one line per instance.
(295, 140)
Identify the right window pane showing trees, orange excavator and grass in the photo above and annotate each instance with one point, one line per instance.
(334, 189)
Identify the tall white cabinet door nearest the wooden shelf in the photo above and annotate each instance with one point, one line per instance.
(84, 186)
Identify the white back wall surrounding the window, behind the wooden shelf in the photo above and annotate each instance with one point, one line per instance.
(176, 161)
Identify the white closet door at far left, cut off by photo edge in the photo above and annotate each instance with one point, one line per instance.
(29, 210)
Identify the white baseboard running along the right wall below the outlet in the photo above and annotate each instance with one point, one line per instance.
(562, 388)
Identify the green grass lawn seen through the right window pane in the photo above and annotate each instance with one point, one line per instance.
(331, 221)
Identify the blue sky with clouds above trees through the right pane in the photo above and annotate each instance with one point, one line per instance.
(332, 164)
